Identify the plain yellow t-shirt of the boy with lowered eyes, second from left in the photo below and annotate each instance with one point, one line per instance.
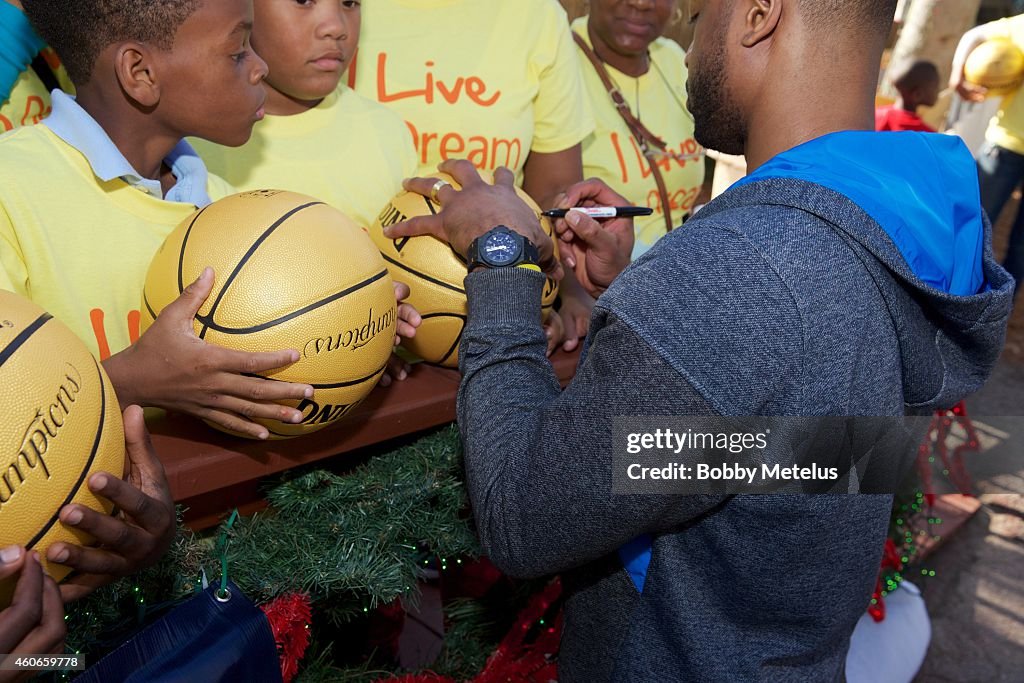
(349, 152)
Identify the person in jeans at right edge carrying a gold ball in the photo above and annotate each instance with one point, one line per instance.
(1001, 163)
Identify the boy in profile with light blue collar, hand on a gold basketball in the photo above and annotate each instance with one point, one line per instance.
(148, 74)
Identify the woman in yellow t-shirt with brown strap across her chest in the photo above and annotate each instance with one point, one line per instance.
(622, 41)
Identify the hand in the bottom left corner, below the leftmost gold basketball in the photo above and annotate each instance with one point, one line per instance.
(34, 624)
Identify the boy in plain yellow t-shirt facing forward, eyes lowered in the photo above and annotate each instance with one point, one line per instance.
(320, 138)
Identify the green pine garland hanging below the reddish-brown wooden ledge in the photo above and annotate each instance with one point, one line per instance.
(352, 541)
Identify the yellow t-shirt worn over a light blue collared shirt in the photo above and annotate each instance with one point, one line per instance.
(78, 247)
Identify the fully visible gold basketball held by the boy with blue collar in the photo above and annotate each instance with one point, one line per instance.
(291, 274)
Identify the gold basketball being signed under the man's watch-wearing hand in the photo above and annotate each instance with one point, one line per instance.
(435, 275)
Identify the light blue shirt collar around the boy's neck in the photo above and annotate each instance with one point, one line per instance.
(74, 125)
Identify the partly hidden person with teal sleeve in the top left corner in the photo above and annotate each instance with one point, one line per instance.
(29, 71)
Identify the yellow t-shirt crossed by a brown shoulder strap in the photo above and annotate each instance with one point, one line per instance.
(659, 99)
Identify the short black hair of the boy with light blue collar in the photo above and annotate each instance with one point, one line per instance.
(80, 30)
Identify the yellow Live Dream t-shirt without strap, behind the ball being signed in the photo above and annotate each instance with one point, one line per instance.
(486, 81)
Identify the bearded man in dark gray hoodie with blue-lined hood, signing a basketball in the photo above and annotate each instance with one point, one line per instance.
(850, 275)
